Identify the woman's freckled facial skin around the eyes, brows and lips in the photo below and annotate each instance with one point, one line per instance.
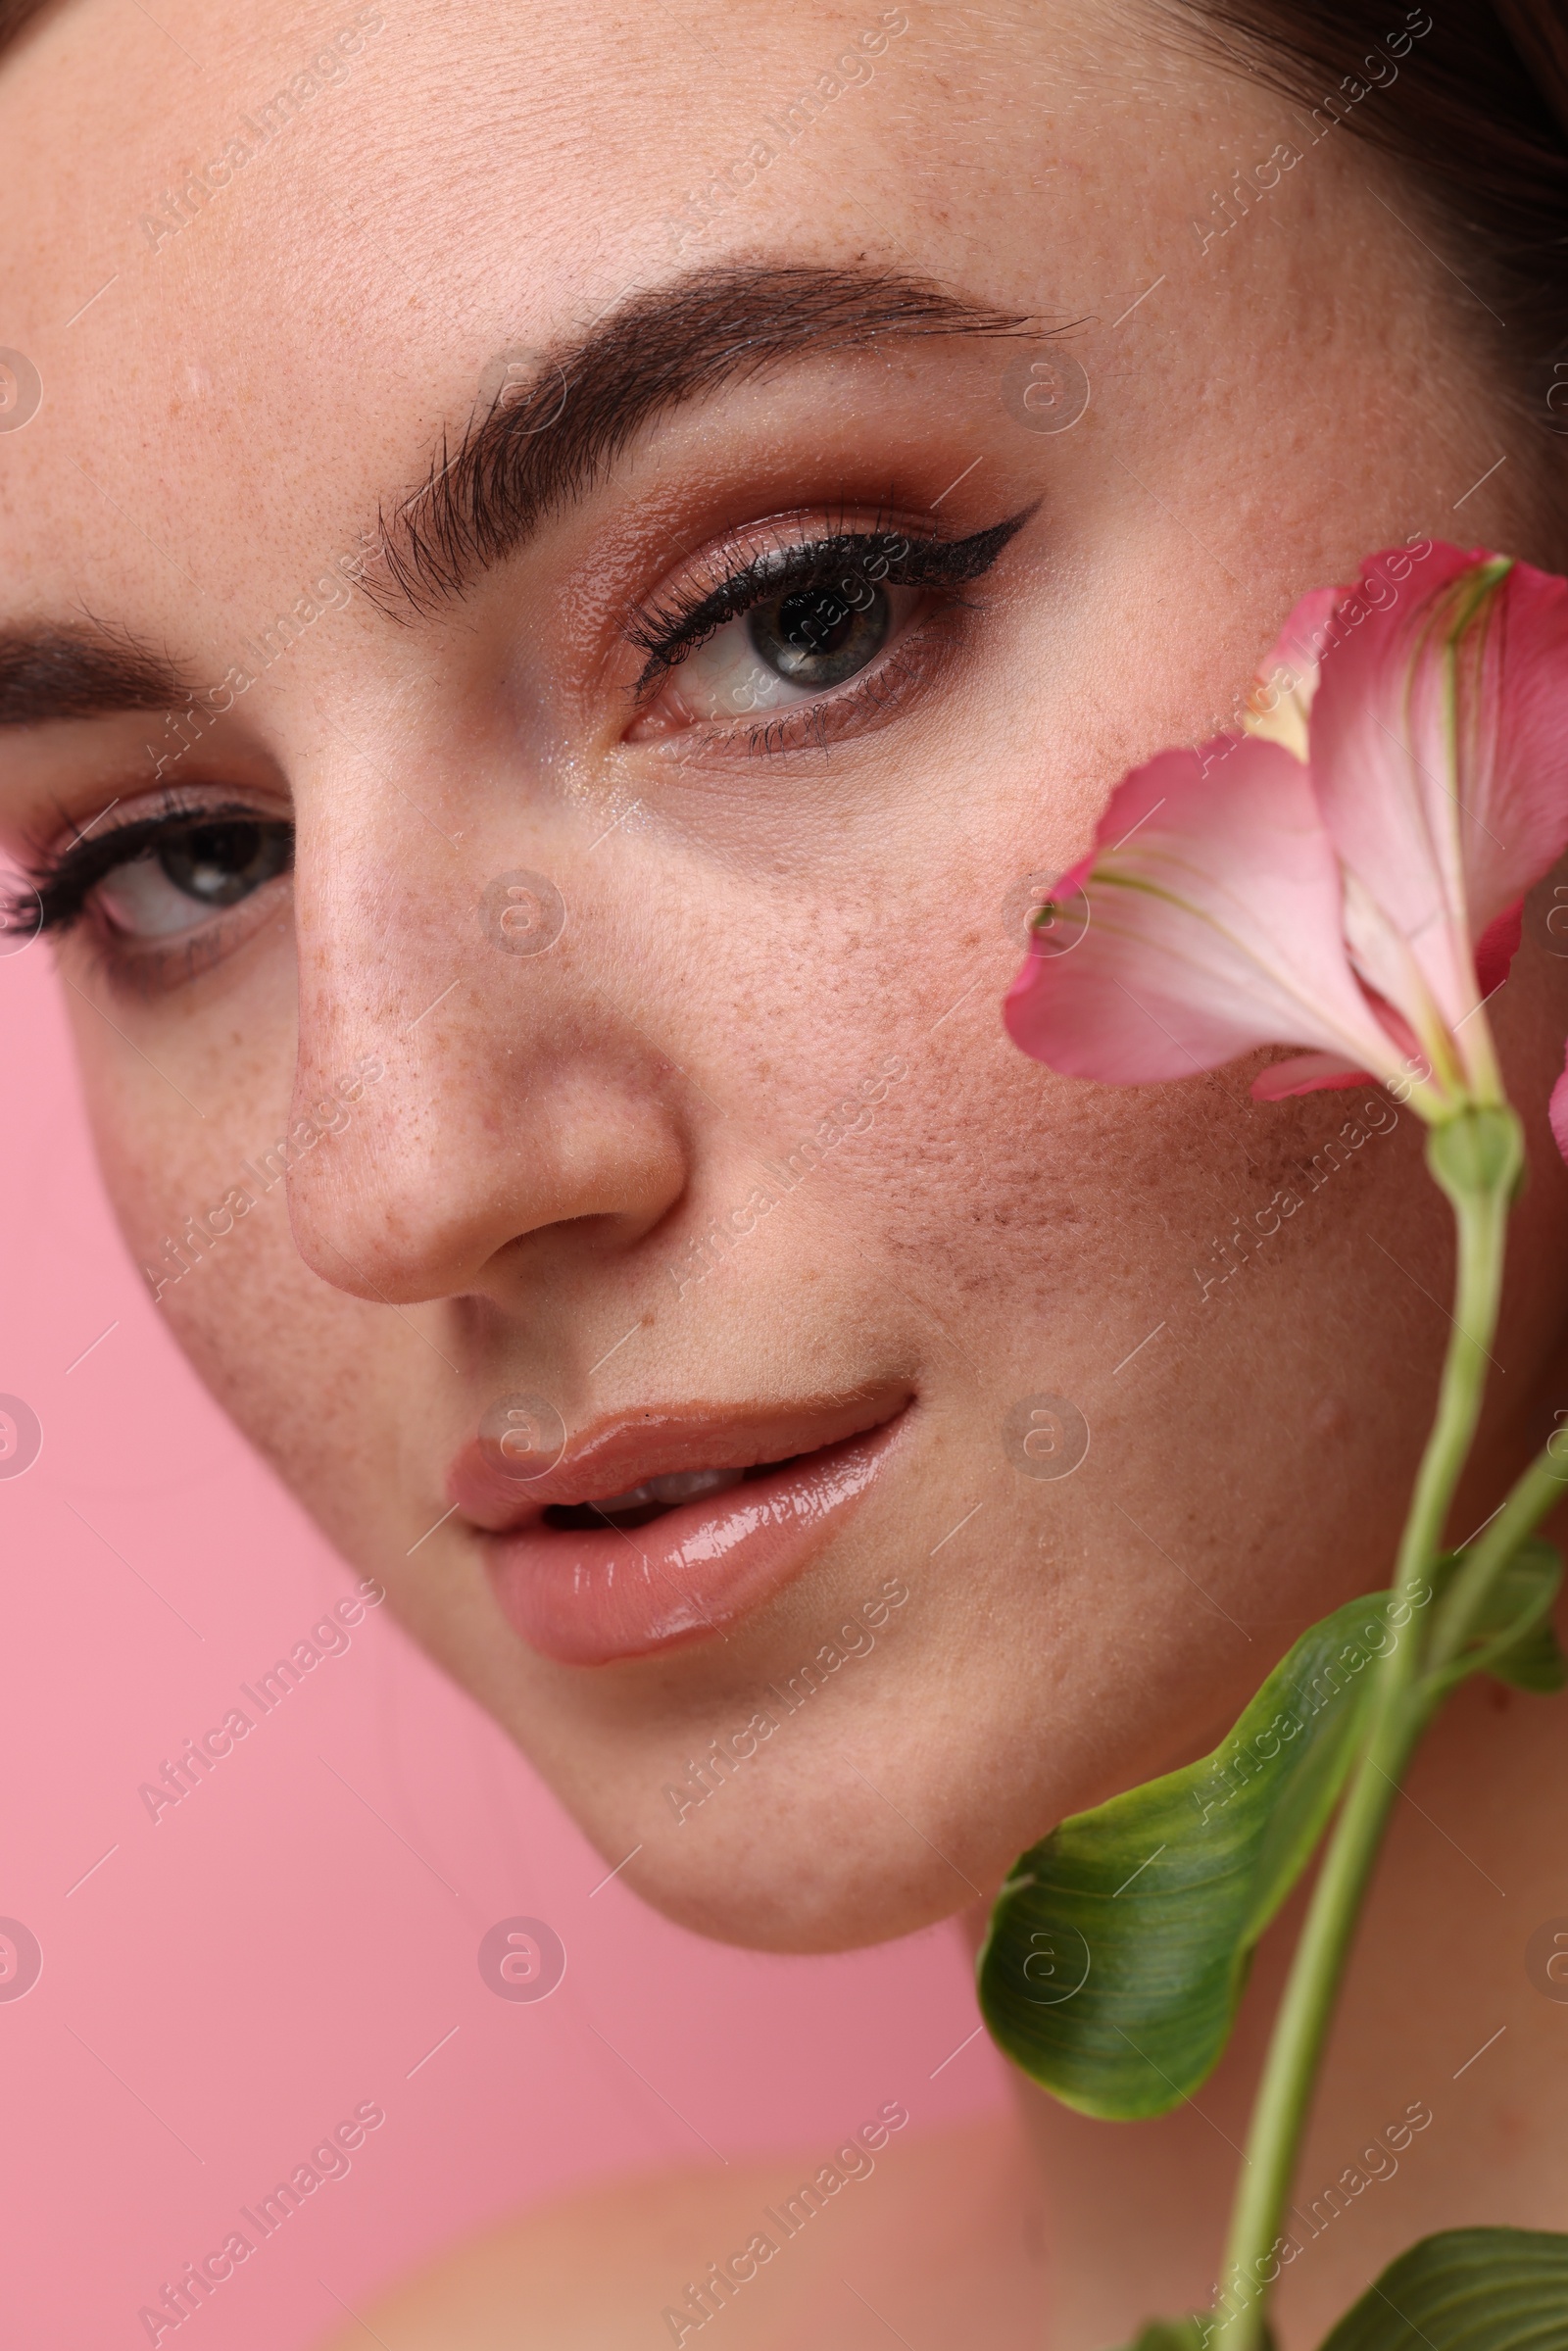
(760, 932)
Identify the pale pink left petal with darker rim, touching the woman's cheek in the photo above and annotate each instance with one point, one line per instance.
(1212, 930)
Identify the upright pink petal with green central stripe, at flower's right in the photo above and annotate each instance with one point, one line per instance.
(1442, 824)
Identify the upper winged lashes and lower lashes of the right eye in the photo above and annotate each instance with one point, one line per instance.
(674, 631)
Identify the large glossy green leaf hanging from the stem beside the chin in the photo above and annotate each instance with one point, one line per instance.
(1120, 1945)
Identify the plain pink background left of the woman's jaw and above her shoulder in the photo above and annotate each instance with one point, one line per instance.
(300, 1934)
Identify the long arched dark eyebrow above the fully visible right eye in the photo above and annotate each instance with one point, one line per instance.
(669, 344)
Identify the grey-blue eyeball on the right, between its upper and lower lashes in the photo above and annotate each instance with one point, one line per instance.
(793, 648)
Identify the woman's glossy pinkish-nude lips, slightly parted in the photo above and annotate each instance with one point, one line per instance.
(589, 1598)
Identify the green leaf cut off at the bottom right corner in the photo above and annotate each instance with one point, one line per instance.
(1466, 2291)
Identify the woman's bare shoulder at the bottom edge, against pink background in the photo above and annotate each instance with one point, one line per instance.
(930, 2235)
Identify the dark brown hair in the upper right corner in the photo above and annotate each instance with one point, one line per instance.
(1473, 98)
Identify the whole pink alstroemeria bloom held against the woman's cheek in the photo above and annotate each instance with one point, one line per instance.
(1334, 876)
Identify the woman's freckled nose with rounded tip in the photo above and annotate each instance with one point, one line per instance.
(476, 1104)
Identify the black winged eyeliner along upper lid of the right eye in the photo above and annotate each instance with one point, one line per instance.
(916, 561)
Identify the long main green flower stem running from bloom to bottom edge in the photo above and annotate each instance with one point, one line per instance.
(1480, 1179)
